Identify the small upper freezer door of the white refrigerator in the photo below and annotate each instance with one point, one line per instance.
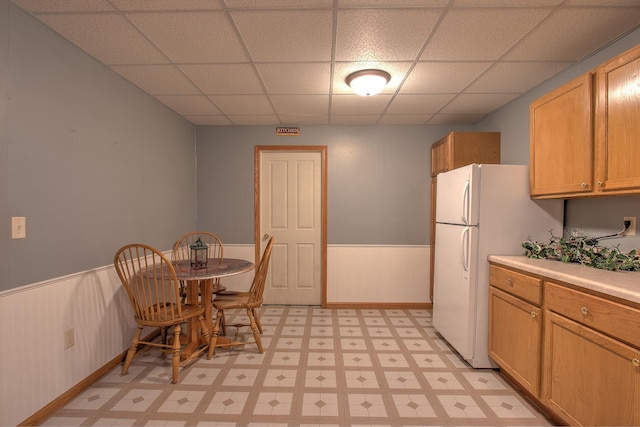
(457, 196)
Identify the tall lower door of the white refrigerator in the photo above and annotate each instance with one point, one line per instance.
(455, 278)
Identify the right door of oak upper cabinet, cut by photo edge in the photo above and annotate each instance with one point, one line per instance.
(618, 124)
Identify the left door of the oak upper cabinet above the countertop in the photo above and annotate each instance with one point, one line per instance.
(561, 140)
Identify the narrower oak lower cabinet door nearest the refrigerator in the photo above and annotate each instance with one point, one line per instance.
(515, 338)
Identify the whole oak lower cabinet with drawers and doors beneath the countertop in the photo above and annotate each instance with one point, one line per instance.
(576, 353)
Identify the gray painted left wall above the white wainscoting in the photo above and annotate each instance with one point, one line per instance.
(92, 162)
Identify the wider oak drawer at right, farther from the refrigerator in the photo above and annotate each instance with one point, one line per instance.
(612, 318)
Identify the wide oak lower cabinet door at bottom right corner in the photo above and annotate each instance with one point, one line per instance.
(589, 378)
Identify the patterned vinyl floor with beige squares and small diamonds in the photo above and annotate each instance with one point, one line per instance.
(320, 367)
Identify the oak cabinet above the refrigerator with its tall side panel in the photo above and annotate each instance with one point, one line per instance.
(455, 150)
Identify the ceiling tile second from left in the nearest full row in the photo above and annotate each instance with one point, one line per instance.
(192, 37)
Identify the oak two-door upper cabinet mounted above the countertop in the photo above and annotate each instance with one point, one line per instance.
(585, 135)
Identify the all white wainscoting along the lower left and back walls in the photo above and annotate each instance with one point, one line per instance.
(36, 369)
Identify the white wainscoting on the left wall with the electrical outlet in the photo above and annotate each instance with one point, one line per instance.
(35, 367)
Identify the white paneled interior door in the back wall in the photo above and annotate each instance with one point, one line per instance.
(291, 211)
